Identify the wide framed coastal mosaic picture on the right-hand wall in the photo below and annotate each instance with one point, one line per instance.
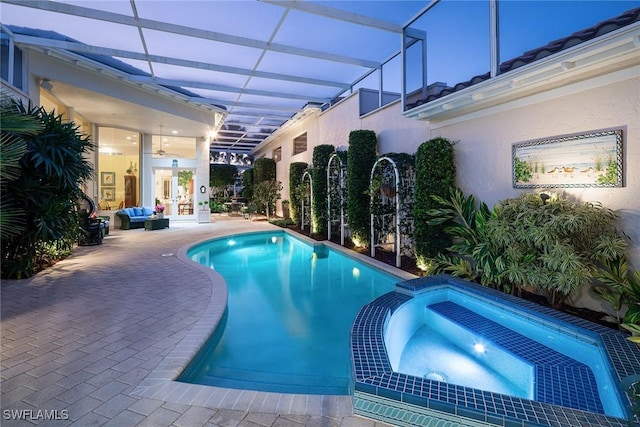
(591, 159)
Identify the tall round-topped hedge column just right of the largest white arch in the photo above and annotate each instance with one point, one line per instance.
(435, 173)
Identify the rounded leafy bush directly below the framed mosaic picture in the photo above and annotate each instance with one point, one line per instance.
(553, 247)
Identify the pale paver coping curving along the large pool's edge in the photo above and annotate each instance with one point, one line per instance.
(161, 383)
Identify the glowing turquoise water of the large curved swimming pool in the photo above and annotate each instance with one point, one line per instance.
(289, 313)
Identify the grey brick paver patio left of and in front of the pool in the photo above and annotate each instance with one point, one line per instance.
(80, 338)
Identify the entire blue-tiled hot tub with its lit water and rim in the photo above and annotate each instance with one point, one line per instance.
(576, 366)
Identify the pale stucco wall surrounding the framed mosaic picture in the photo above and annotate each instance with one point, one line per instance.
(483, 153)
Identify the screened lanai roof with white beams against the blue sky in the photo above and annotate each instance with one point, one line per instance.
(261, 61)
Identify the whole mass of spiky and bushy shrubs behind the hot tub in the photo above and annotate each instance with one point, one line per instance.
(553, 248)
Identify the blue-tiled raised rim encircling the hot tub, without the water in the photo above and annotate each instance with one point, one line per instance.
(408, 397)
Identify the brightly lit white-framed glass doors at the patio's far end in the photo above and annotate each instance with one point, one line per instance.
(174, 189)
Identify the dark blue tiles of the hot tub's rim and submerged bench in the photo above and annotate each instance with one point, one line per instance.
(498, 409)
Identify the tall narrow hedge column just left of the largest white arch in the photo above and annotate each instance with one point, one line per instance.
(360, 159)
